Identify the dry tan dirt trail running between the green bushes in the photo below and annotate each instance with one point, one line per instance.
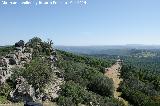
(114, 73)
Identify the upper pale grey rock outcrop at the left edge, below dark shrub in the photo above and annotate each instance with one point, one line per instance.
(16, 58)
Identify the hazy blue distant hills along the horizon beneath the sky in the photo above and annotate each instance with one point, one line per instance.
(109, 50)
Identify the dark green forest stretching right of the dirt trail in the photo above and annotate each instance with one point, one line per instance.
(141, 77)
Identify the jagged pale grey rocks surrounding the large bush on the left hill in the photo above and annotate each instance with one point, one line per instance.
(24, 91)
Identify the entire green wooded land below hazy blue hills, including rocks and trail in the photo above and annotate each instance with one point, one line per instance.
(35, 71)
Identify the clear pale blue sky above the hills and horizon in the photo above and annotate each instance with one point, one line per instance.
(99, 22)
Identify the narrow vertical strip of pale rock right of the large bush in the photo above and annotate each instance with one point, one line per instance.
(53, 87)
